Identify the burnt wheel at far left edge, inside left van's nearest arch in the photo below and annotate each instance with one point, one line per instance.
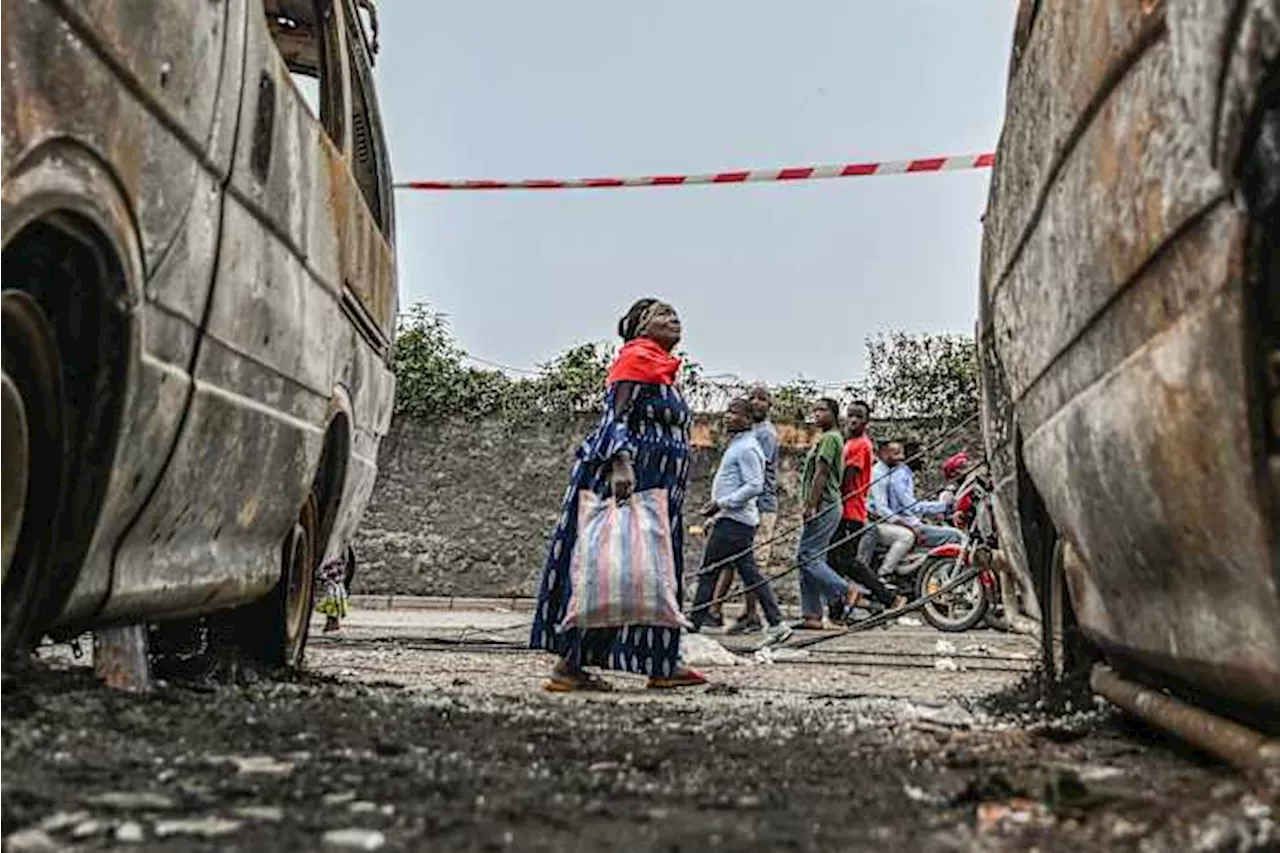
(31, 464)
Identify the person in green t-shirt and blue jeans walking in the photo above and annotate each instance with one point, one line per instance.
(824, 472)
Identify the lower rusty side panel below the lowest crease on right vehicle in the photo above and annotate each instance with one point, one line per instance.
(1149, 475)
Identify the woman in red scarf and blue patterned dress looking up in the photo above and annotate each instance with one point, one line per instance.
(641, 444)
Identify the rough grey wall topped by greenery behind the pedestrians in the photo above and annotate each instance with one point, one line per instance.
(467, 508)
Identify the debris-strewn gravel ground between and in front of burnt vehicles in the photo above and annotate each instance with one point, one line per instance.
(392, 743)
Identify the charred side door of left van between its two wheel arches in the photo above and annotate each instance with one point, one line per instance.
(211, 535)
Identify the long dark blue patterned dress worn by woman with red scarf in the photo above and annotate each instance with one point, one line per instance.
(655, 427)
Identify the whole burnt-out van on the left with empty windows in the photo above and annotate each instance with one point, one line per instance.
(198, 302)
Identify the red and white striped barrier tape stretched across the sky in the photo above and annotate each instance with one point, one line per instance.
(961, 163)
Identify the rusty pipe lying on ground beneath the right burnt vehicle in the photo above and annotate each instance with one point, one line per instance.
(1238, 746)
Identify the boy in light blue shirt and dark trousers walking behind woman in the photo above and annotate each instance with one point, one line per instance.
(735, 491)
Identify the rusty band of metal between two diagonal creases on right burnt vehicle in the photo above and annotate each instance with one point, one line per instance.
(1137, 176)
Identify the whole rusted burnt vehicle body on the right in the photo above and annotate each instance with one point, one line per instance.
(1130, 331)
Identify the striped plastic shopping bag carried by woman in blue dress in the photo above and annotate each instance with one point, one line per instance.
(623, 571)
